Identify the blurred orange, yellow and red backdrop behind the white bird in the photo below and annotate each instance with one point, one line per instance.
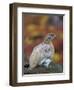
(36, 27)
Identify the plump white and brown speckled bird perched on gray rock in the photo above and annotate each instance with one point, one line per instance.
(42, 53)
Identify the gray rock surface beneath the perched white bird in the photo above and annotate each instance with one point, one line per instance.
(52, 68)
